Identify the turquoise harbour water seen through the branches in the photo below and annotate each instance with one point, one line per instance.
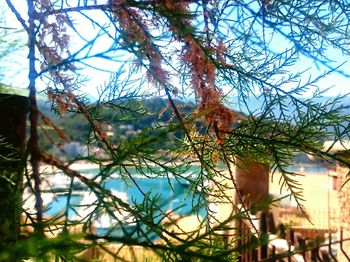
(172, 195)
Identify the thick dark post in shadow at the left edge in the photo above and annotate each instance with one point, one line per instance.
(13, 112)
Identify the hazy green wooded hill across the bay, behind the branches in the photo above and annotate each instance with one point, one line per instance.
(123, 118)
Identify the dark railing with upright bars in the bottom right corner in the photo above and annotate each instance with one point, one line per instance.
(302, 249)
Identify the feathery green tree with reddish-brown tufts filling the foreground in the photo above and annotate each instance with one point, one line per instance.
(208, 50)
